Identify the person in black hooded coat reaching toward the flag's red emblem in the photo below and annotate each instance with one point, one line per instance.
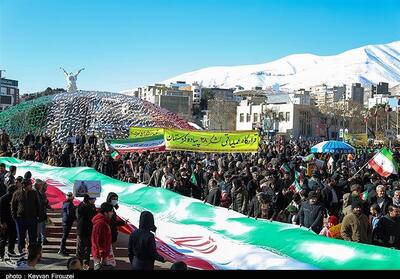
(142, 250)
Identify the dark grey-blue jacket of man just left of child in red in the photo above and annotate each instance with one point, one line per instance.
(312, 216)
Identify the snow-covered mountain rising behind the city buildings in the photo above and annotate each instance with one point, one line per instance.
(367, 65)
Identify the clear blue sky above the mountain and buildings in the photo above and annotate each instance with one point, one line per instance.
(128, 43)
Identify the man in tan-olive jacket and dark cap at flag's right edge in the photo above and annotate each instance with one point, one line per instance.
(355, 225)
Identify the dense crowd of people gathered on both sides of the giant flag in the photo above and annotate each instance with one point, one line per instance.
(280, 183)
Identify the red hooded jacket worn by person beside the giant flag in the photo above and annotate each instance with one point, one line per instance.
(101, 237)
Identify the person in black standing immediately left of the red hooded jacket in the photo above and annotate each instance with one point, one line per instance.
(85, 213)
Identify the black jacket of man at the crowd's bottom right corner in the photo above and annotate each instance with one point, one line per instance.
(388, 232)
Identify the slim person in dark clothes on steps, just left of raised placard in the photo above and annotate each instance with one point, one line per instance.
(68, 218)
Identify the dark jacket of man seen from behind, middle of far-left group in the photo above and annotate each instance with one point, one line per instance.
(25, 204)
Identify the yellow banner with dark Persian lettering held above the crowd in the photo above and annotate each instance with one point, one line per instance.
(200, 141)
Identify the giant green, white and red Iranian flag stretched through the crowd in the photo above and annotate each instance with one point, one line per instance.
(208, 237)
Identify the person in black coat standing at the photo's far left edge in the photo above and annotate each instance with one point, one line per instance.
(7, 223)
